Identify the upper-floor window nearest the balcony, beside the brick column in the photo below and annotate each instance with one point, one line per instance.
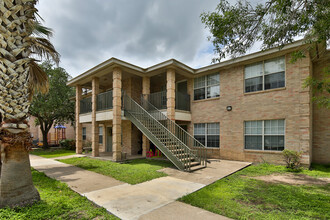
(206, 87)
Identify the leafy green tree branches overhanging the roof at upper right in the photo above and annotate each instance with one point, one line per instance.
(236, 28)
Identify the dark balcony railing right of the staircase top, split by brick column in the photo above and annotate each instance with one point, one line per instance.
(159, 100)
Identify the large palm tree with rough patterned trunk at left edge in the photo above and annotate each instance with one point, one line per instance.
(22, 38)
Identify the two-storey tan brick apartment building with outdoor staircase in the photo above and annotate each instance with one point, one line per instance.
(249, 109)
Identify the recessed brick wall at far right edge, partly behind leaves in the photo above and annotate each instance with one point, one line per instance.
(321, 120)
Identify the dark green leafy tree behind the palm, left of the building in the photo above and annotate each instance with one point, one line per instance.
(55, 107)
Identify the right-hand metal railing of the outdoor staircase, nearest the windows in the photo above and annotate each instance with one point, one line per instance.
(194, 143)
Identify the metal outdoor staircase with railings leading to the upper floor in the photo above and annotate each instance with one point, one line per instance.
(182, 149)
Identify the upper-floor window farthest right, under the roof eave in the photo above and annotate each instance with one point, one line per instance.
(269, 74)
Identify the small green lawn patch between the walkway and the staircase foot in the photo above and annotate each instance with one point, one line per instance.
(133, 172)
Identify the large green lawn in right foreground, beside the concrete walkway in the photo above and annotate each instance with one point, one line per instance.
(241, 197)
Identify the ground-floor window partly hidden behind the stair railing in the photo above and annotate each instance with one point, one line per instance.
(208, 134)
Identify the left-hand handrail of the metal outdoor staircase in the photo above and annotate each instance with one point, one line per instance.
(186, 148)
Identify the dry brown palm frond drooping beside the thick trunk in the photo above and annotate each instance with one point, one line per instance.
(38, 79)
